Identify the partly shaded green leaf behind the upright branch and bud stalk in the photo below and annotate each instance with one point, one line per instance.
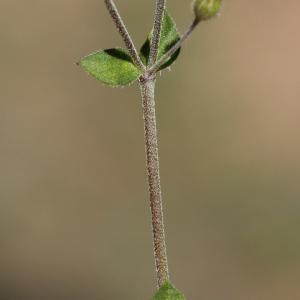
(169, 37)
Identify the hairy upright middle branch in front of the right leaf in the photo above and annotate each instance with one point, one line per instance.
(158, 20)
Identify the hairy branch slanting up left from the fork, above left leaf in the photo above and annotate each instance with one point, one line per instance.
(112, 9)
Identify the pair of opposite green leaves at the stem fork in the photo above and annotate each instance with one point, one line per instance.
(115, 67)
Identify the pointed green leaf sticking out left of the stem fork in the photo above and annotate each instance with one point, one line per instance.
(112, 67)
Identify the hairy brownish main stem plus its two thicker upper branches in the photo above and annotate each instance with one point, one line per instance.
(147, 84)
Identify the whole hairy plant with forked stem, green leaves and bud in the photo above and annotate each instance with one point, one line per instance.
(121, 67)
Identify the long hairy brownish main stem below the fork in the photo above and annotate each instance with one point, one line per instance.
(152, 160)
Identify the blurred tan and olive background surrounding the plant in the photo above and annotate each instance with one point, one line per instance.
(74, 217)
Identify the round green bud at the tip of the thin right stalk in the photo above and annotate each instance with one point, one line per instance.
(206, 9)
